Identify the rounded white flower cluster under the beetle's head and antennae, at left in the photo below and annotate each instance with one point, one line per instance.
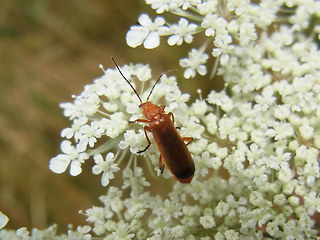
(101, 116)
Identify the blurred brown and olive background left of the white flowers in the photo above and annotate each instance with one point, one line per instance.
(49, 50)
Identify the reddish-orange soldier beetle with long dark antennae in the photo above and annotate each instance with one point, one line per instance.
(172, 147)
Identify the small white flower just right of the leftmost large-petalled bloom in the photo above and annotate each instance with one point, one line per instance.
(107, 166)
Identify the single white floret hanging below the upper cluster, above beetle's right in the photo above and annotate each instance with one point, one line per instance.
(194, 63)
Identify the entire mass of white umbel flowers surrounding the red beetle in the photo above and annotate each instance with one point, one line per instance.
(256, 142)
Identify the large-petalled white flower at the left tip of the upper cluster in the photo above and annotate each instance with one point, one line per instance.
(147, 33)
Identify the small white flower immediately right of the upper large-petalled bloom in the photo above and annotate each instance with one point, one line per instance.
(182, 32)
